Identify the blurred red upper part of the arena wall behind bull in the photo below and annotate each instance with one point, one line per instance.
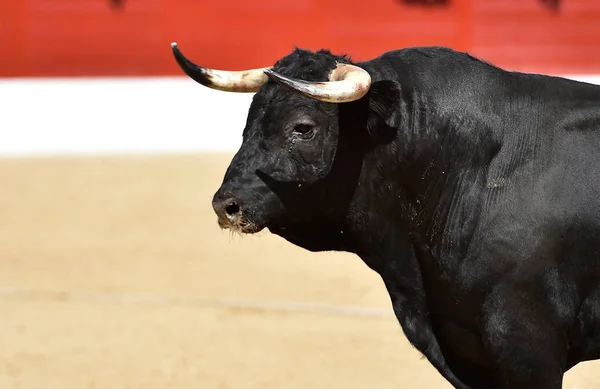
(132, 37)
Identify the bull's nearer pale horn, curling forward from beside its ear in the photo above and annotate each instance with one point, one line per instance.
(346, 83)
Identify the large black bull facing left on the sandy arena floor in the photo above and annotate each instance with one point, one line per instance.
(472, 191)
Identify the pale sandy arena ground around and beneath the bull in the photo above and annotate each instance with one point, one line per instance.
(114, 274)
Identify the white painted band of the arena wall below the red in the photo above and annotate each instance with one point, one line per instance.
(122, 115)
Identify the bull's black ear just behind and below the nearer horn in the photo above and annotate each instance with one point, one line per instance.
(384, 109)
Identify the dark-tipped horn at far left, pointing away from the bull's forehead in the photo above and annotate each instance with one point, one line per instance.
(228, 81)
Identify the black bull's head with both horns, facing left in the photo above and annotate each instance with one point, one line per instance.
(300, 158)
